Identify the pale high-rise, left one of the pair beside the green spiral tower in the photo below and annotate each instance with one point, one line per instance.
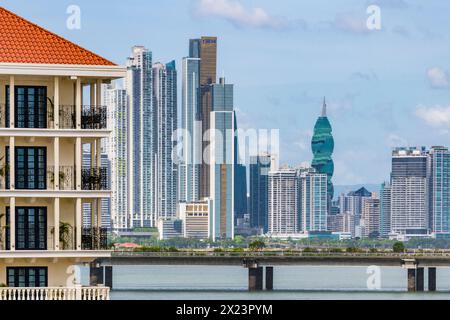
(283, 201)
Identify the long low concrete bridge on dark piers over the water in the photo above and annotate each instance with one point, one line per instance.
(260, 265)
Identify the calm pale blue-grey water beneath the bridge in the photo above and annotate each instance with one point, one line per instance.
(305, 282)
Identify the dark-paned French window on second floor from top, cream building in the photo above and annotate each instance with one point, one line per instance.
(30, 168)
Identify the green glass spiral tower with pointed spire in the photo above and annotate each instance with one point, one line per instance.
(322, 147)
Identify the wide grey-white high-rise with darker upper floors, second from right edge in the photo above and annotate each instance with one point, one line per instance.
(409, 191)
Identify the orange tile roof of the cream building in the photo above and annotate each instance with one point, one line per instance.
(22, 41)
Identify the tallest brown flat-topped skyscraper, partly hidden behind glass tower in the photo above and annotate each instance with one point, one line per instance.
(205, 49)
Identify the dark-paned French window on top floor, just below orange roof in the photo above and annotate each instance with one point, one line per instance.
(30, 107)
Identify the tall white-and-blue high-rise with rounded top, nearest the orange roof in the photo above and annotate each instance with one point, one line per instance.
(141, 138)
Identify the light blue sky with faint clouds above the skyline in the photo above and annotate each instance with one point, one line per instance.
(384, 88)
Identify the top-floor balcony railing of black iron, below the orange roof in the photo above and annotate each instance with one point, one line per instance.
(92, 118)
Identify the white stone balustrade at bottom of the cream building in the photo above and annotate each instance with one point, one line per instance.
(55, 293)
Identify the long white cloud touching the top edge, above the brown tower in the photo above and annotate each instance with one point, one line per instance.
(234, 12)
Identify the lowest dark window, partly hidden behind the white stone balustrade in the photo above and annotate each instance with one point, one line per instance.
(27, 276)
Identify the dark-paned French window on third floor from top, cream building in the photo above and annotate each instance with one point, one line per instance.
(31, 228)
